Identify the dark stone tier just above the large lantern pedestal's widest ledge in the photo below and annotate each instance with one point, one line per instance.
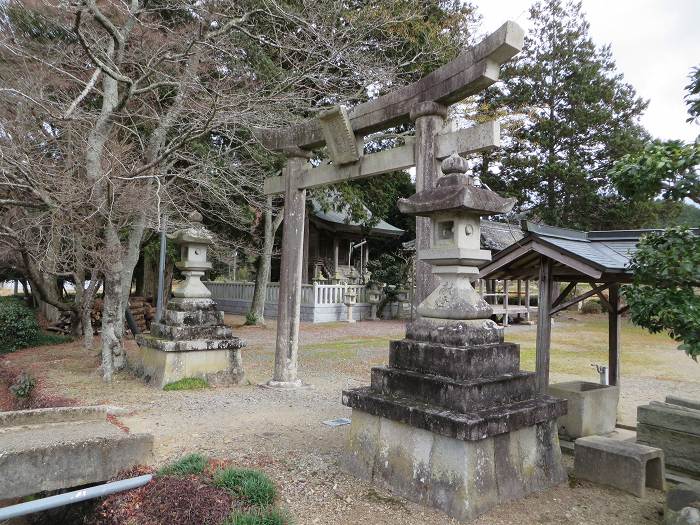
(453, 394)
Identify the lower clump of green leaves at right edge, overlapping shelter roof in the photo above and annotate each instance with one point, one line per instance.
(664, 295)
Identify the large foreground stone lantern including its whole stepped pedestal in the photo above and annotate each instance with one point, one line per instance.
(452, 422)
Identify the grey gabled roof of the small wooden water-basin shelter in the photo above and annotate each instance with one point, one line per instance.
(601, 256)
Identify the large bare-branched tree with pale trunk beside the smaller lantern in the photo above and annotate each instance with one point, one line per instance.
(114, 110)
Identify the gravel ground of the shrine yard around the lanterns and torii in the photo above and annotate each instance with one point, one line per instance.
(282, 432)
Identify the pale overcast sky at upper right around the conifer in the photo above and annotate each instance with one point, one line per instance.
(654, 42)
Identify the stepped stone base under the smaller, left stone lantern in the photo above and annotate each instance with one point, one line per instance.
(191, 342)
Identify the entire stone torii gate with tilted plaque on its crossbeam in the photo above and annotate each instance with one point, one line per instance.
(424, 103)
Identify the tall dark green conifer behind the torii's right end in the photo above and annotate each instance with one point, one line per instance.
(571, 115)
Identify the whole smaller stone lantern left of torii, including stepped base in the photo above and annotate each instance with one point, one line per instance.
(192, 339)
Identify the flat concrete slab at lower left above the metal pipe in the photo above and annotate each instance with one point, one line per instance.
(37, 455)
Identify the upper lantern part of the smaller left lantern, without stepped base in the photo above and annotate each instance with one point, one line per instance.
(194, 242)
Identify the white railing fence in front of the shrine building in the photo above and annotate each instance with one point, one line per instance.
(319, 302)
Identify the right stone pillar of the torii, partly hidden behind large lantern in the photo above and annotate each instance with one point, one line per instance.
(429, 118)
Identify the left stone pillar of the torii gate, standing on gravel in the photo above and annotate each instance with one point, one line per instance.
(289, 303)
